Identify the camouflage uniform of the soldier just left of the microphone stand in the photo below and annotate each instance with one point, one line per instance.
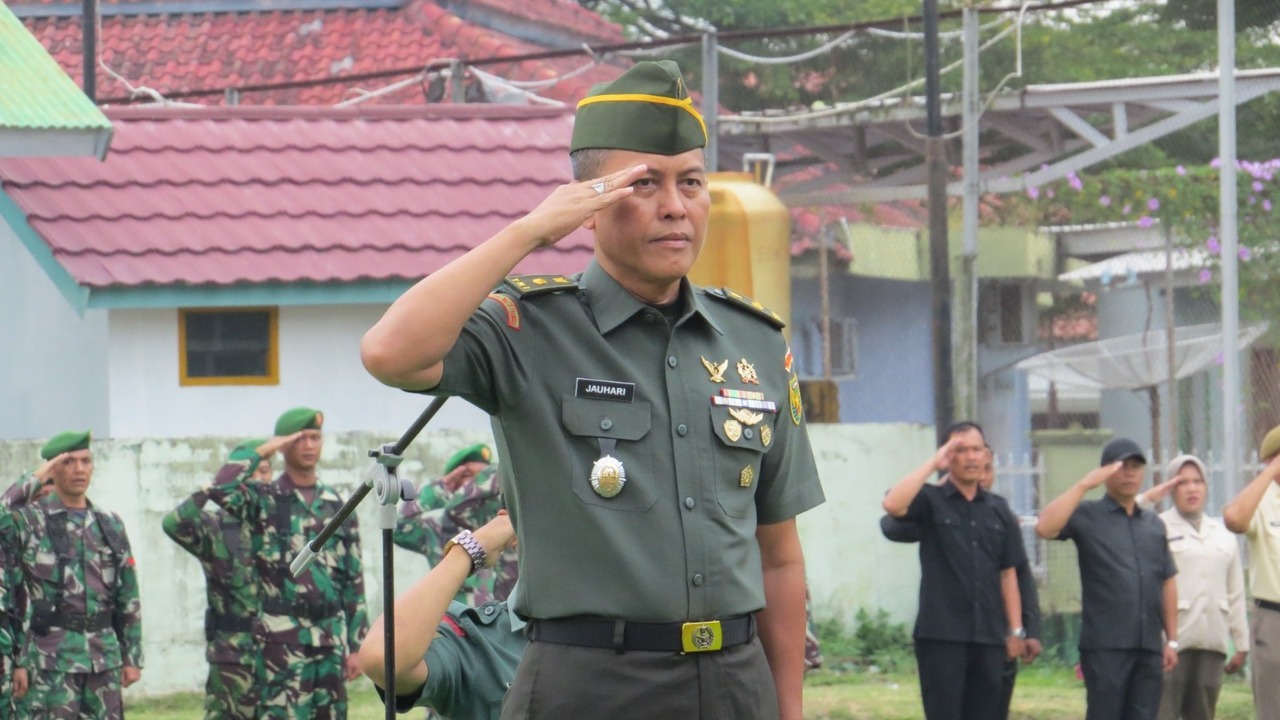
(309, 623)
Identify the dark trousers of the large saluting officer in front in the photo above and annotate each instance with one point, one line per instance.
(560, 682)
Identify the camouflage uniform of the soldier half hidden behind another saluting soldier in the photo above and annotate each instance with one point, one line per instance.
(223, 546)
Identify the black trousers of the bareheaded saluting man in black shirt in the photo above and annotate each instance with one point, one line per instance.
(961, 681)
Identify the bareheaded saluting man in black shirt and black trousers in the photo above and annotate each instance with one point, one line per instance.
(970, 621)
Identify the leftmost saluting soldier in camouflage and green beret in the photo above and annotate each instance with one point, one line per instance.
(85, 622)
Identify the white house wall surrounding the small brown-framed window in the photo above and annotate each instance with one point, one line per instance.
(319, 368)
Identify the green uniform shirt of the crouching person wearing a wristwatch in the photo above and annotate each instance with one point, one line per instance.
(470, 664)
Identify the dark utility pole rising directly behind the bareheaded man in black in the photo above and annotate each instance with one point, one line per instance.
(936, 160)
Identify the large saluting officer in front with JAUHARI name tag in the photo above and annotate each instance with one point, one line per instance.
(652, 430)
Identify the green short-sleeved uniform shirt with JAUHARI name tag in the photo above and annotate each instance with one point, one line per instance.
(573, 376)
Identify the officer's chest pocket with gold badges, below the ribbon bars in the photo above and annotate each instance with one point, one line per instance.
(744, 438)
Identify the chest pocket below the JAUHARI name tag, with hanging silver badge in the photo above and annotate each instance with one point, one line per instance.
(627, 423)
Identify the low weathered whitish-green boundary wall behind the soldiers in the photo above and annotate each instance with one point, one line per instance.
(849, 564)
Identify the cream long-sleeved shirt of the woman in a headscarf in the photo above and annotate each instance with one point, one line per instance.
(1210, 585)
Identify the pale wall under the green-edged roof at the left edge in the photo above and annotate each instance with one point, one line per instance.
(51, 358)
